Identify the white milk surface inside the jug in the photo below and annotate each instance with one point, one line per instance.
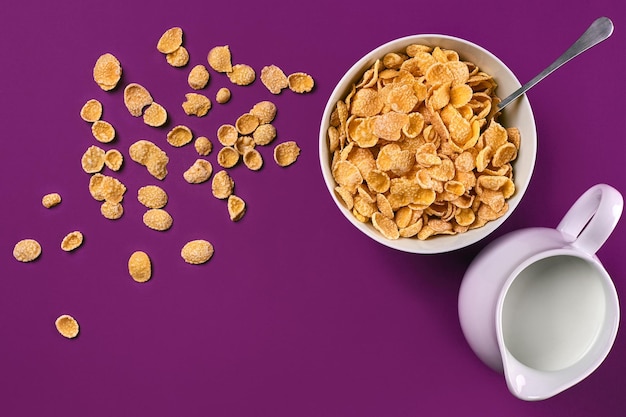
(553, 312)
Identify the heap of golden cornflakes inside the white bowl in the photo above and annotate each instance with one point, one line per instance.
(417, 149)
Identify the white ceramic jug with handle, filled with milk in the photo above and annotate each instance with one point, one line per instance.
(537, 304)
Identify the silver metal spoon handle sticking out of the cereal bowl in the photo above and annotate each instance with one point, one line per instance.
(599, 30)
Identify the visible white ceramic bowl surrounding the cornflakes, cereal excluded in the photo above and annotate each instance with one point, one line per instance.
(518, 114)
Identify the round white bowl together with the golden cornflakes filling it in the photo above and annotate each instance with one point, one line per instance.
(414, 150)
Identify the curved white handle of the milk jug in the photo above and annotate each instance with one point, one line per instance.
(592, 218)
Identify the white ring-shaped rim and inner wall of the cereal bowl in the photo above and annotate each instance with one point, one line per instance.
(453, 242)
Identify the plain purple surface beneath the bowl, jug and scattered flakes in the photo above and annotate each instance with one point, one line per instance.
(297, 314)
